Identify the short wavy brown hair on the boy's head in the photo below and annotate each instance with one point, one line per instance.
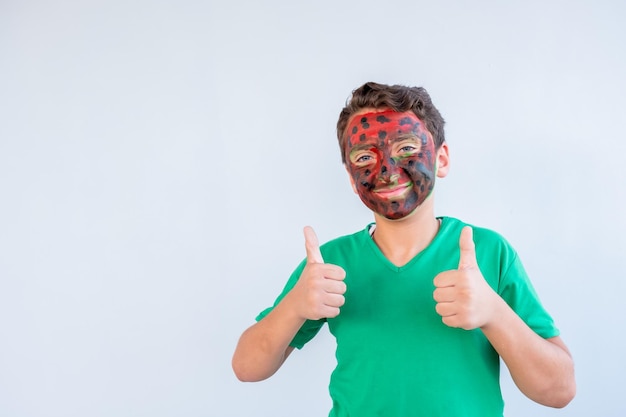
(398, 98)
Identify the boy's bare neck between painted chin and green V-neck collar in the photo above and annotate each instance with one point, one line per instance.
(401, 240)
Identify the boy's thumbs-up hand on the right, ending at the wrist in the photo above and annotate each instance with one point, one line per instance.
(464, 299)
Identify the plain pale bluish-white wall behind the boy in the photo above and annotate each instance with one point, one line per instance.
(159, 159)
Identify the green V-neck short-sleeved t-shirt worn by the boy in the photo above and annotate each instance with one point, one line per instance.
(395, 357)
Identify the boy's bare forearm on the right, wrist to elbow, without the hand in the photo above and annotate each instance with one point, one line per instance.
(542, 369)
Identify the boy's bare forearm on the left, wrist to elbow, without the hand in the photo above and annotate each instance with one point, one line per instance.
(264, 346)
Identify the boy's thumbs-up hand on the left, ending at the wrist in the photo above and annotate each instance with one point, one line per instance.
(319, 291)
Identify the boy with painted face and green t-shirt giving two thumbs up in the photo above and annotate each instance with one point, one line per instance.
(422, 307)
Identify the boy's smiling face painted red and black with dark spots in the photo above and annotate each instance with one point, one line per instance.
(391, 158)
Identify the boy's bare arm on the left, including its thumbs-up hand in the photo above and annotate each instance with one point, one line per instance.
(264, 347)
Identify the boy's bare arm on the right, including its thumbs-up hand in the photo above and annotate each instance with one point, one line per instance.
(543, 369)
